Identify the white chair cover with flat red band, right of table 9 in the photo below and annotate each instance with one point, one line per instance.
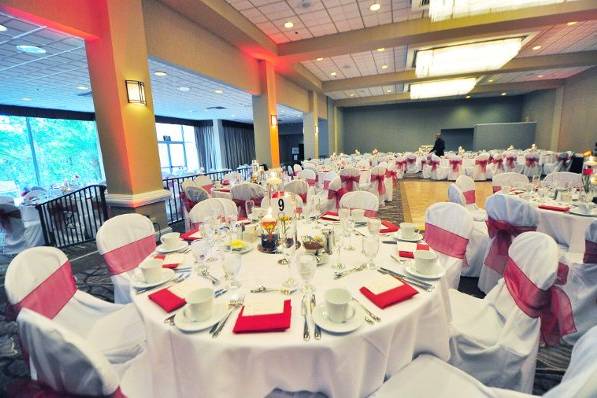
(448, 228)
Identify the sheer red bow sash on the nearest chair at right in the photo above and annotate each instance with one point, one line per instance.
(551, 306)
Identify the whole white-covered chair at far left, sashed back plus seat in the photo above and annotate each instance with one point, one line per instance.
(41, 280)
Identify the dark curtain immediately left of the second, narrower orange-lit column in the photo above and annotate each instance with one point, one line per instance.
(239, 144)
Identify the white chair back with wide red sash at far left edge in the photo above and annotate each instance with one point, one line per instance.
(40, 279)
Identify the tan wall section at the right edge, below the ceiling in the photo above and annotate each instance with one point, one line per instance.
(578, 131)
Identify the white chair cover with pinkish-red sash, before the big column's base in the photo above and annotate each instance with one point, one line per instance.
(125, 241)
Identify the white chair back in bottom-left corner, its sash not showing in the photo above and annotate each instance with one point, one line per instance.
(64, 361)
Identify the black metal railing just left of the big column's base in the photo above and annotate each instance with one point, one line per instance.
(73, 218)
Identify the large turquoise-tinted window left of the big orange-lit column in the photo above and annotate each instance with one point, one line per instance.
(46, 152)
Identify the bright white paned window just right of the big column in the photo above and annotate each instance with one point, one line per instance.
(178, 152)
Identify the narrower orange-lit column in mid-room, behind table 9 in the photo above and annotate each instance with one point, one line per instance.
(265, 118)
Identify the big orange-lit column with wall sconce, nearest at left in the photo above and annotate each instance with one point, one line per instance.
(126, 130)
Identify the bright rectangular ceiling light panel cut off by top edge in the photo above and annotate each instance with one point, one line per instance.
(440, 10)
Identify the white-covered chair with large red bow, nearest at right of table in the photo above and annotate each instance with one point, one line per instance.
(494, 339)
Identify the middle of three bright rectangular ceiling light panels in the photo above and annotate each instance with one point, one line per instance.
(465, 58)
